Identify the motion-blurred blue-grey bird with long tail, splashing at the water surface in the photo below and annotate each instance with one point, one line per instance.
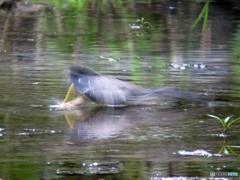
(112, 92)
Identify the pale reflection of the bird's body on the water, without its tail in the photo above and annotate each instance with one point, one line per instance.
(100, 123)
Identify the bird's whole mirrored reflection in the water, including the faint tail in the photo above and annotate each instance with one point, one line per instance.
(106, 123)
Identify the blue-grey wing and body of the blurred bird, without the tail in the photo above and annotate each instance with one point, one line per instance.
(101, 89)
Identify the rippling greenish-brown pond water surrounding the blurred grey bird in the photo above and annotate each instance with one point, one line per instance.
(39, 41)
